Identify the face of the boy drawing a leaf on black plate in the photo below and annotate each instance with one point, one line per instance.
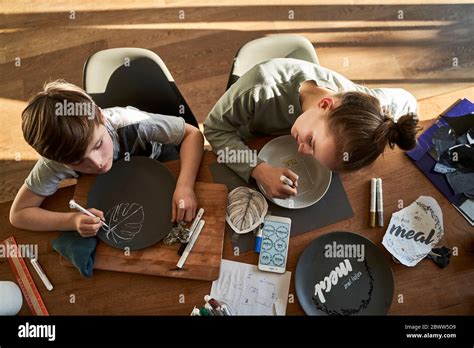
(99, 155)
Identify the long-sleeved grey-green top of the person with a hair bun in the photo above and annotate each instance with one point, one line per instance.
(265, 100)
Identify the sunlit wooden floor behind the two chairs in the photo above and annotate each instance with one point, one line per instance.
(425, 47)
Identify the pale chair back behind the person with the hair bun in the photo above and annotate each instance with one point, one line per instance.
(277, 46)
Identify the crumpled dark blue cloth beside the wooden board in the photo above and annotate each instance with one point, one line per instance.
(78, 250)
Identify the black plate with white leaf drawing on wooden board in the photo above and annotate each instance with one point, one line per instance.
(135, 197)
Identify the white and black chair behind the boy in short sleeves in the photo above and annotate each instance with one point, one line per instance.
(135, 77)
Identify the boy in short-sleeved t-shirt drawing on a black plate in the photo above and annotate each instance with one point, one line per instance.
(73, 135)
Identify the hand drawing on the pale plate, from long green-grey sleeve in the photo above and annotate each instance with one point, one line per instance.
(269, 177)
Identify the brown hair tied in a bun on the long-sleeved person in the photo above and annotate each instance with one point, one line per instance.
(363, 130)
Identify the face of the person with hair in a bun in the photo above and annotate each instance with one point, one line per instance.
(312, 134)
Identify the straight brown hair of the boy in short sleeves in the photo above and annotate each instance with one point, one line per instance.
(59, 122)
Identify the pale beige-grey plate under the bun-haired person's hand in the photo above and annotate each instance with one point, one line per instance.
(314, 178)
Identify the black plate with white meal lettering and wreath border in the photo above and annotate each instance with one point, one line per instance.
(365, 290)
